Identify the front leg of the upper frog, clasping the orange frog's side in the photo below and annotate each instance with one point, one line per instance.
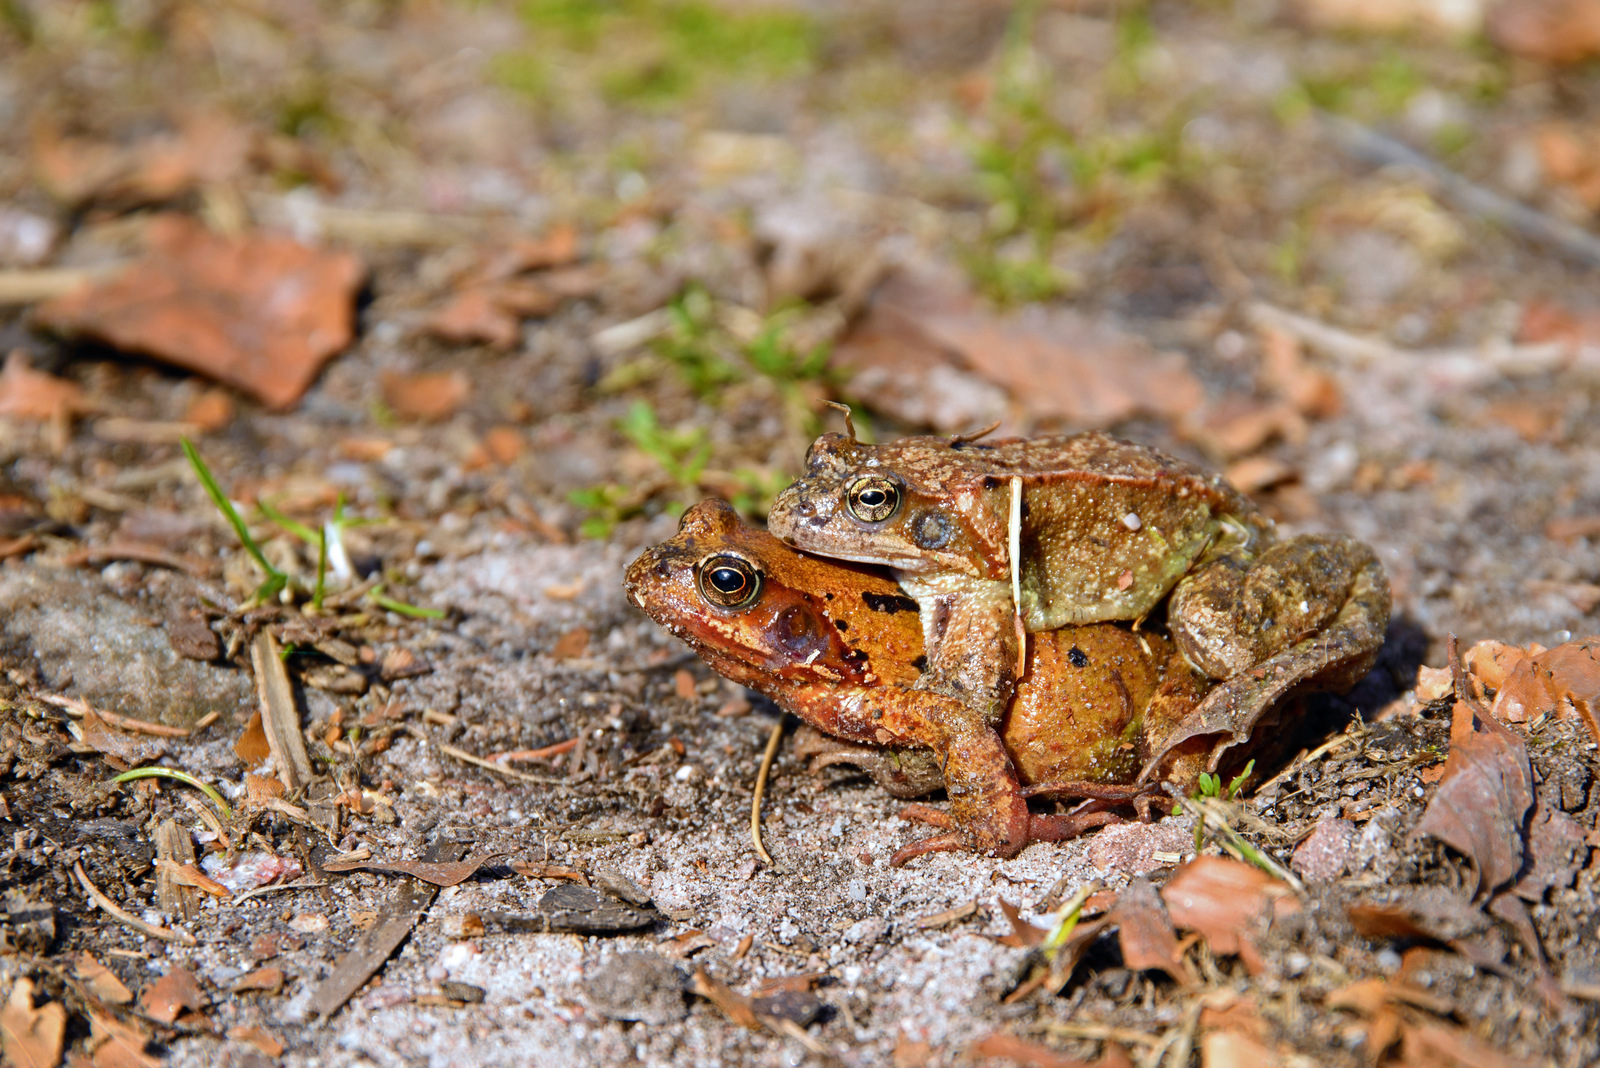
(970, 637)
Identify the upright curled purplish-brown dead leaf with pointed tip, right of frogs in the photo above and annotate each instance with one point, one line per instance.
(1484, 797)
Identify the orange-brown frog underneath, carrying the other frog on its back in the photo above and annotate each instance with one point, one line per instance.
(842, 647)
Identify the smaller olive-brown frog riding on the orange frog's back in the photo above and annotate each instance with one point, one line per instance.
(1002, 538)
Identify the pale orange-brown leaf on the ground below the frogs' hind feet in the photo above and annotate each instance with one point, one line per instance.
(1228, 903)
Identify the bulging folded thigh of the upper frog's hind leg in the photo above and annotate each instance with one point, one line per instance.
(1239, 612)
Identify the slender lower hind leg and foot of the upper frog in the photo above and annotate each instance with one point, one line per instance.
(1330, 661)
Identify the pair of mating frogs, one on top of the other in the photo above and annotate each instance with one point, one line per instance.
(1006, 650)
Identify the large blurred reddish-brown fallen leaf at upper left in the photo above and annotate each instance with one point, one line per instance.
(260, 313)
